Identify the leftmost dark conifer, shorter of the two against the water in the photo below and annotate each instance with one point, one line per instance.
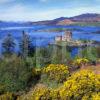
(8, 44)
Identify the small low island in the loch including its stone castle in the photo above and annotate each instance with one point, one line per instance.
(66, 40)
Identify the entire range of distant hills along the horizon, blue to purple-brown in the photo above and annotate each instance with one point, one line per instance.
(86, 18)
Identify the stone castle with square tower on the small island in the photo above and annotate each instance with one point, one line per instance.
(67, 37)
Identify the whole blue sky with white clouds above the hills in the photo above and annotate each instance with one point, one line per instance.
(38, 10)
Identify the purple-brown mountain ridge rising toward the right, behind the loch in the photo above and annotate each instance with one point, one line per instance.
(89, 17)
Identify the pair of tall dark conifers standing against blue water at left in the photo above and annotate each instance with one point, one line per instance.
(25, 45)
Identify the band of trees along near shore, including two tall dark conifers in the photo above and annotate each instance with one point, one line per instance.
(41, 56)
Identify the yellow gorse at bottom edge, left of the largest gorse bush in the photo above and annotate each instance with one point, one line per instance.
(41, 92)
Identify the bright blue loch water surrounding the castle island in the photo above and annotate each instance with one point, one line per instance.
(40, 38)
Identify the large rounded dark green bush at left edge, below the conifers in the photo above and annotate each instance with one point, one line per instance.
(14, 74)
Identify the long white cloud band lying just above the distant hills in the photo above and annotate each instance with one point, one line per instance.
(19, 12)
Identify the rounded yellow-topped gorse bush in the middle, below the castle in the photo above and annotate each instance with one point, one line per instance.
(57, 73)
